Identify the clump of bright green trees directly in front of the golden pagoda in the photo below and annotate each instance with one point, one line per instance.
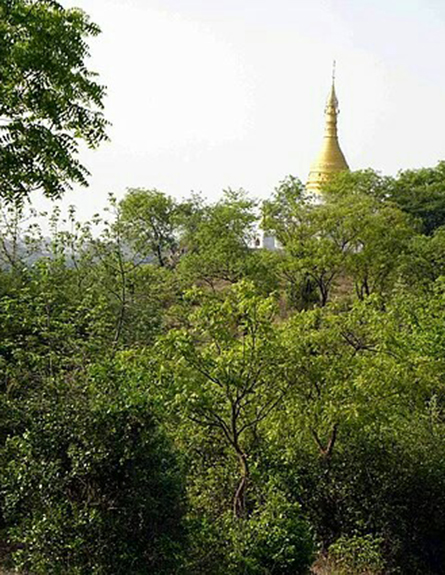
(352, 236)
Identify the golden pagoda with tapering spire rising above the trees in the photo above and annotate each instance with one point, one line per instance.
(330, 160)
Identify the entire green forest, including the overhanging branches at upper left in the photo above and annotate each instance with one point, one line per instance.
(175, 399)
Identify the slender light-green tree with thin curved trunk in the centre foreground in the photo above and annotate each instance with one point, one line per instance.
(228, 371)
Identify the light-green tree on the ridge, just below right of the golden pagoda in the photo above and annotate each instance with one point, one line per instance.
(373, 229)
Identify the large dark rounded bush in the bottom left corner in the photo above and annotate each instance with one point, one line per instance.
(92, 486)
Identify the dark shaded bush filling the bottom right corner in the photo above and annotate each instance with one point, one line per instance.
(389, 485)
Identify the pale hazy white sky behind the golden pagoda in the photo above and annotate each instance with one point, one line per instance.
(206, 94)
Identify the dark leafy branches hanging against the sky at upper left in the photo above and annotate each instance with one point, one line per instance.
(49, 99)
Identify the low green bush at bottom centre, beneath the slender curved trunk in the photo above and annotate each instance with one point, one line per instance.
(275, 538)
